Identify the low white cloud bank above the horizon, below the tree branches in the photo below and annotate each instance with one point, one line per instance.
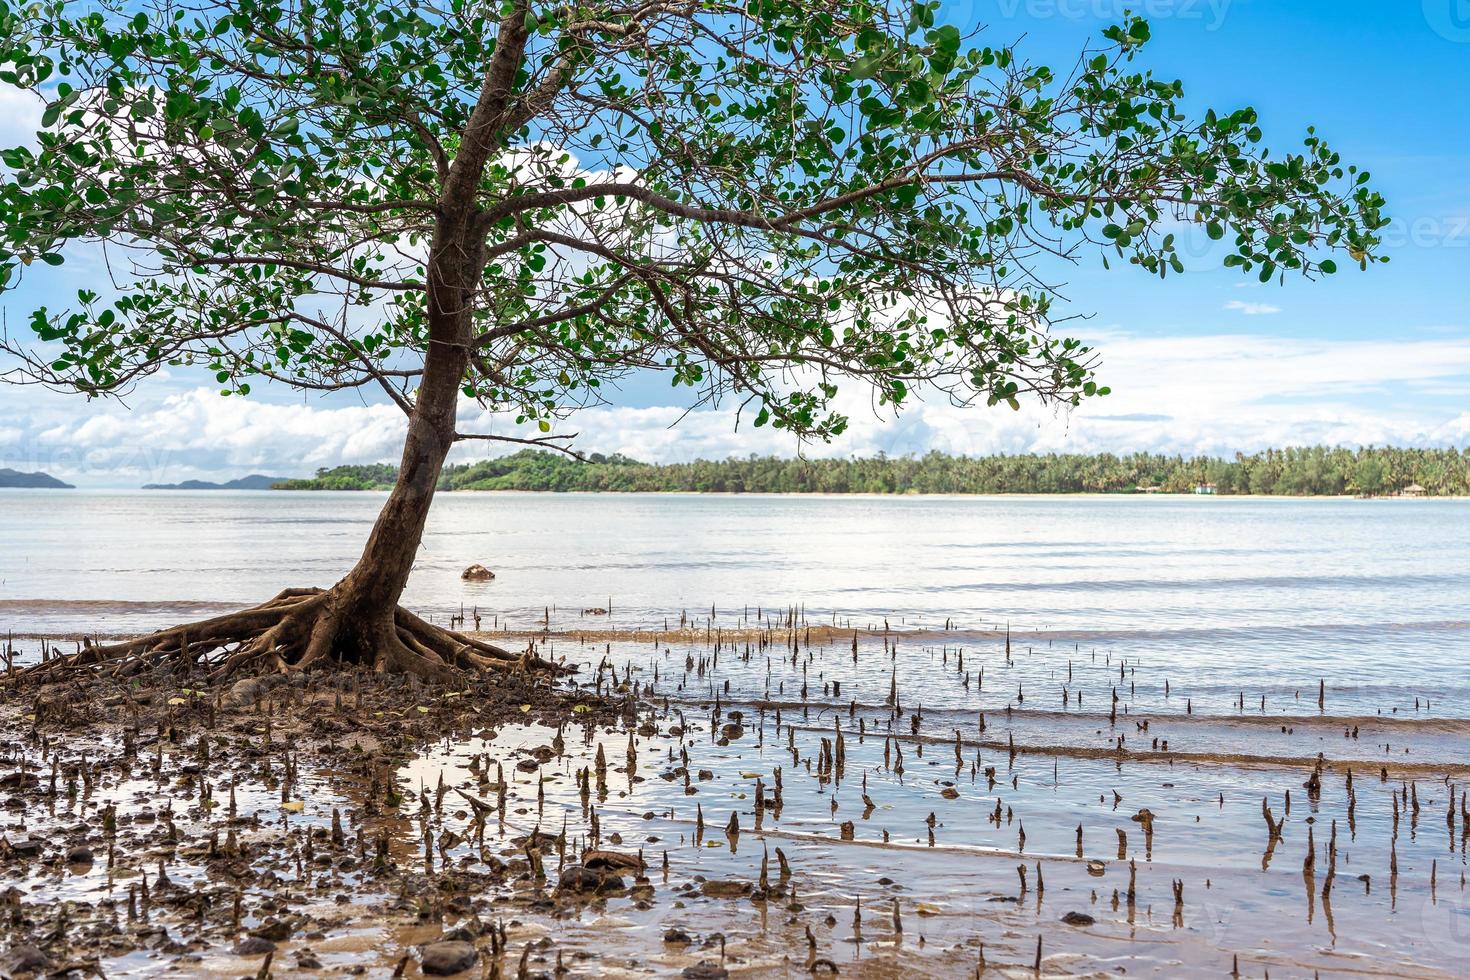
(1212, 394)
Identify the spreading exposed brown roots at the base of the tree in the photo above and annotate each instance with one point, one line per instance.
(299, 630)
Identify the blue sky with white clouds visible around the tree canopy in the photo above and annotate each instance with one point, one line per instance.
(1208, 362)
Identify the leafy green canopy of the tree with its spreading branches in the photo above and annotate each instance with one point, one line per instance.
(761, 201)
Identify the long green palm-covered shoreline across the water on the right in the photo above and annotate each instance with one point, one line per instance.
(1294, 472)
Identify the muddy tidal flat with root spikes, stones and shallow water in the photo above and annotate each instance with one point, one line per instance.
(745, 793)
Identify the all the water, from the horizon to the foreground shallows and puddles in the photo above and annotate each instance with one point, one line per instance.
(1097, 656)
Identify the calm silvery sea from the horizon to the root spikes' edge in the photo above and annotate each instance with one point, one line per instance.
(1262, 594)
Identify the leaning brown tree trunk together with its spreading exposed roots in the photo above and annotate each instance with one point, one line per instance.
(359, 619)
